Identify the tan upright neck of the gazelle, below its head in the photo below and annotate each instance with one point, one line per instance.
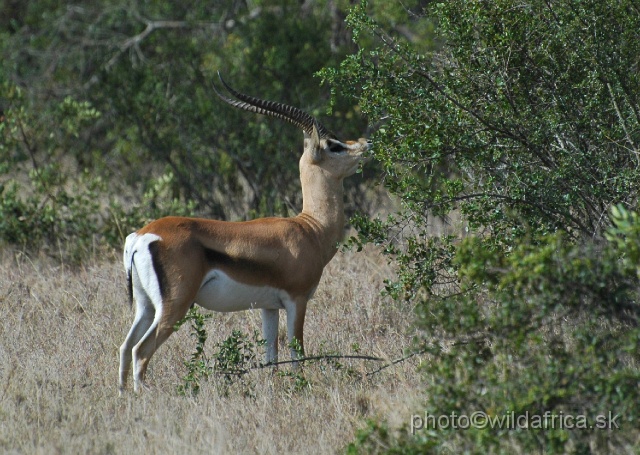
(322, 202)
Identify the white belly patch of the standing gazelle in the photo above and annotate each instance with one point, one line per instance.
(219, 292)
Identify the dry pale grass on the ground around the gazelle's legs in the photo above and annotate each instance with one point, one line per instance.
(58, 351)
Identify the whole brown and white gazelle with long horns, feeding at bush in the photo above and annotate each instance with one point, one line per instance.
(267, 263)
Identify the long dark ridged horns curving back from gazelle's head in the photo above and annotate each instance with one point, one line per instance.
(285, 112)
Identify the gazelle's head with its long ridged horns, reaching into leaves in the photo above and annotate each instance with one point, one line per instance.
(335, 158)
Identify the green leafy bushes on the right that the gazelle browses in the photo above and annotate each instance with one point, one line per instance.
(521, 120)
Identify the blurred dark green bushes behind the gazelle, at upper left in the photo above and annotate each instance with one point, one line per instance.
(111, 120)
